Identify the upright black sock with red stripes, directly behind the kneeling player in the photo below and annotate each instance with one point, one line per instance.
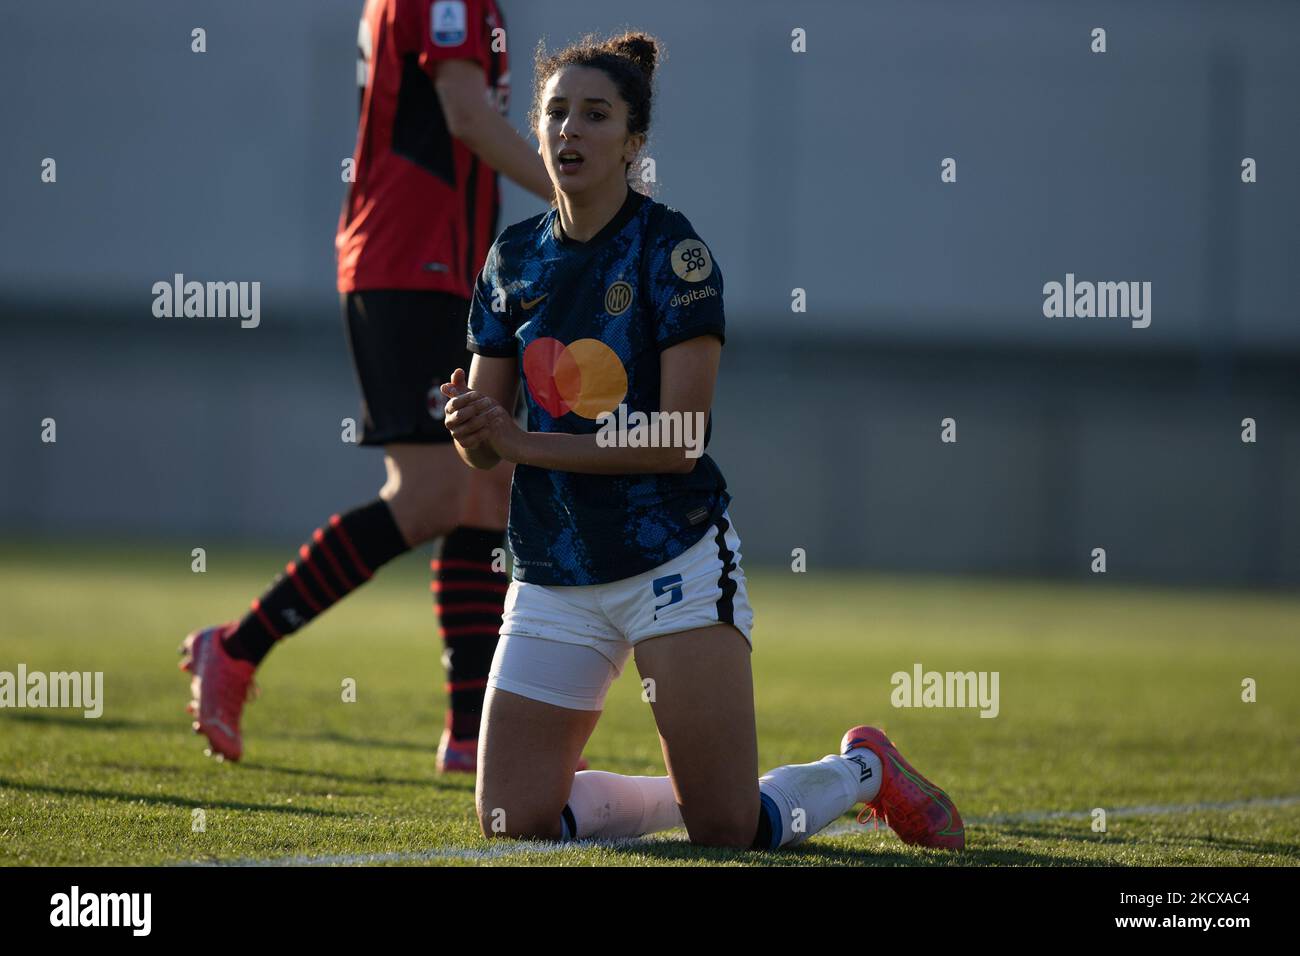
(469, 598)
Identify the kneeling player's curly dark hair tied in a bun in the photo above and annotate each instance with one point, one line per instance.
(629, 59)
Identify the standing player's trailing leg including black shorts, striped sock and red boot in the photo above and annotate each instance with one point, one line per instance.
(400, 341)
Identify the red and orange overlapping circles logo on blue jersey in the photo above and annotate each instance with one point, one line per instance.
(584, 378)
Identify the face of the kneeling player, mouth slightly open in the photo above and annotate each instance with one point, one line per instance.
(583, 131)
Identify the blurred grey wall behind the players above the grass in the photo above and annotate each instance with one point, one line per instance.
(816, 171)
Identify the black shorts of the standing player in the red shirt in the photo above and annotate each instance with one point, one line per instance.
(405, 344)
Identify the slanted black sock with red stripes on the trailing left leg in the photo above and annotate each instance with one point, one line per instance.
(339, 560)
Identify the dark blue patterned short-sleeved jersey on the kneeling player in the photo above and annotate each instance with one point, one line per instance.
(587, 323)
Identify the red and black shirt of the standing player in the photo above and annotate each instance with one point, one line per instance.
(423, 209)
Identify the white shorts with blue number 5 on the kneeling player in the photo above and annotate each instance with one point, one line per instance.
(565, 646)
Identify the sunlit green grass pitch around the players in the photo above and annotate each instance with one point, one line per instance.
(1126, 699)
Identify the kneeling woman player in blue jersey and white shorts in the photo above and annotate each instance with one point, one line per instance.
(612, 300)
